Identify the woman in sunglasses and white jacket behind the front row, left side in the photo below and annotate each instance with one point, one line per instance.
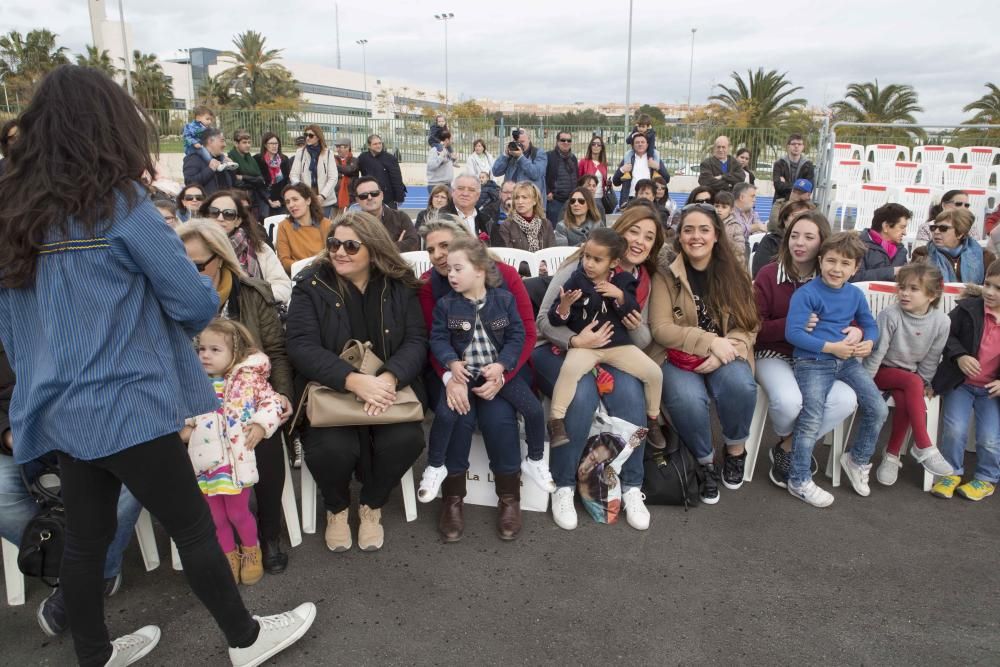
(247, 238)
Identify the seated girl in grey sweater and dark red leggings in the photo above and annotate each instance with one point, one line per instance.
(911, 337)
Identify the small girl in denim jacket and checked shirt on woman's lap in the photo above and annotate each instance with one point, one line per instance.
(478, 335)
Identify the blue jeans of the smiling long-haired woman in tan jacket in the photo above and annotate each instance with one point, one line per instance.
(685, 399)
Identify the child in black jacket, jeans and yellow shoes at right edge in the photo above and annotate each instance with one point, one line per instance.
(967, 382)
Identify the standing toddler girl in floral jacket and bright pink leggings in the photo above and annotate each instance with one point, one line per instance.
(221, 443)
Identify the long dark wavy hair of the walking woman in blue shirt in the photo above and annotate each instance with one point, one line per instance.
(82, 144)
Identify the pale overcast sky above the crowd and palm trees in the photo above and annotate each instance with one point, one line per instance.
(561, 51)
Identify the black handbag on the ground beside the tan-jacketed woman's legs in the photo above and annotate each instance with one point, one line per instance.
(671, 475)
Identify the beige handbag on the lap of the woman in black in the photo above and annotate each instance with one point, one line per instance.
(327, 407)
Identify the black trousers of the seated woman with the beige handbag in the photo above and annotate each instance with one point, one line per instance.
(380, 455)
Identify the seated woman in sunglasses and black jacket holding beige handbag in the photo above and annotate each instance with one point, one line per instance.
(359, 288)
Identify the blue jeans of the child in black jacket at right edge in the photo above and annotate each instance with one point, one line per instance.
(959, 405)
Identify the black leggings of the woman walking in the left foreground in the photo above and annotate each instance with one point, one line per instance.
(160, 476)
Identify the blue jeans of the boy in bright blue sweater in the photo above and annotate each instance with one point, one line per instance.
(815, 378)
